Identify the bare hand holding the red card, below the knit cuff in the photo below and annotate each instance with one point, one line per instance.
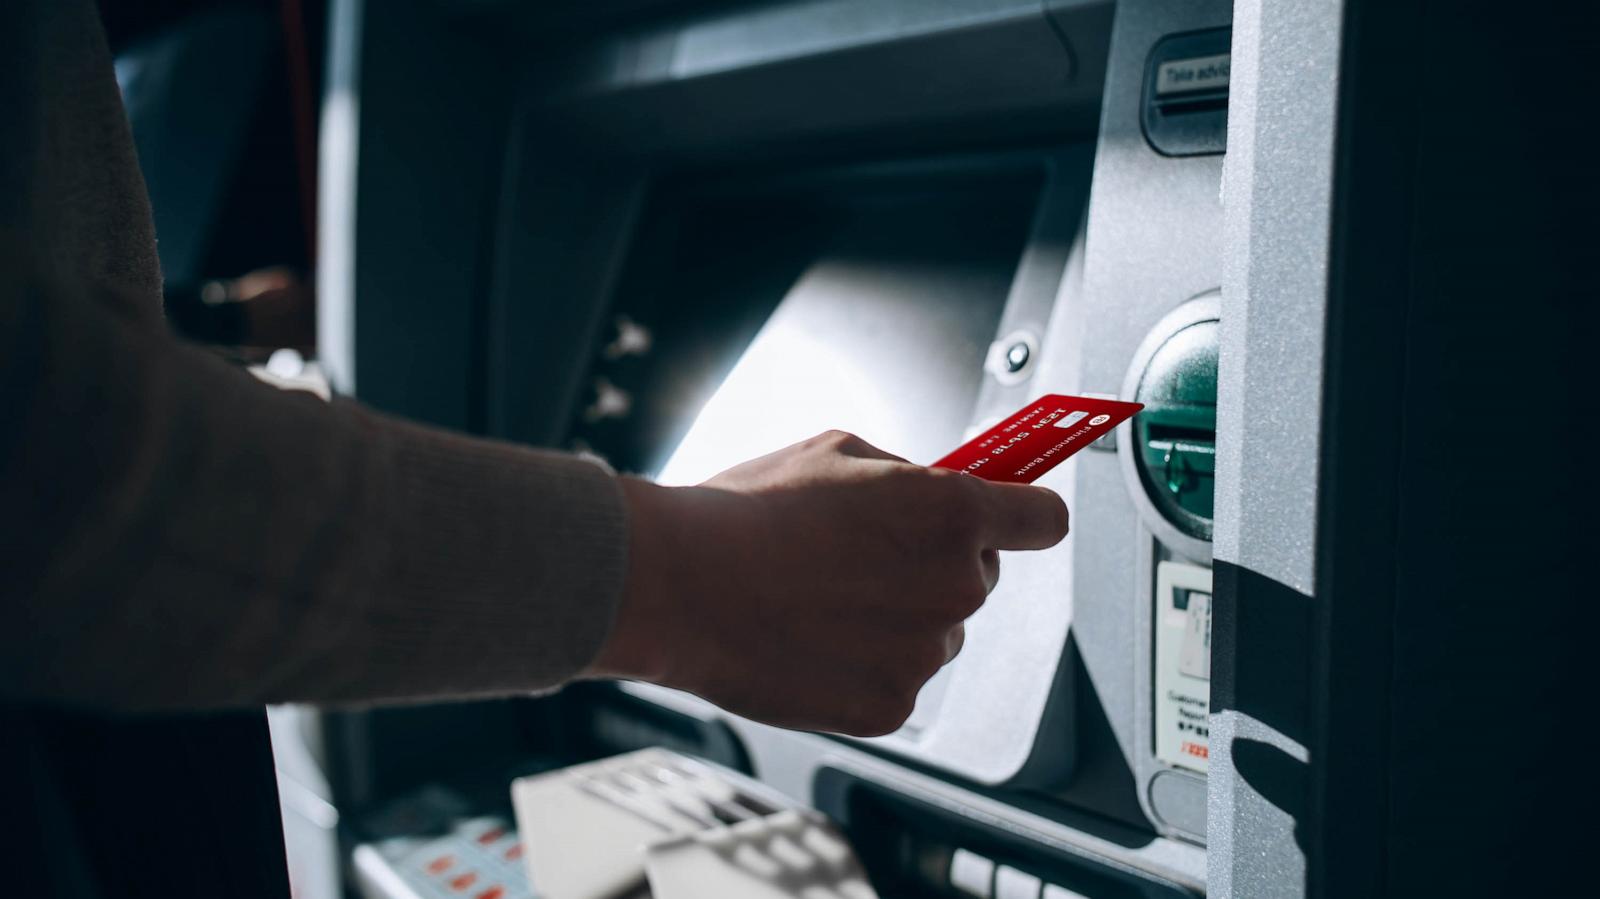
(817, 588)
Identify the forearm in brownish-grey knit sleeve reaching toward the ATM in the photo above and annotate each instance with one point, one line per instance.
(182, 537)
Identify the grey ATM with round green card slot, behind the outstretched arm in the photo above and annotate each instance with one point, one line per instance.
(636, 228)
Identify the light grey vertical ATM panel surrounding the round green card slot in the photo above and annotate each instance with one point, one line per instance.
(1154, 247)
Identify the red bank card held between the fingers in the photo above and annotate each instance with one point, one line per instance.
(1038, 438)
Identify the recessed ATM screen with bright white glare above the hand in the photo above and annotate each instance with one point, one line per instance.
(777, 311)
